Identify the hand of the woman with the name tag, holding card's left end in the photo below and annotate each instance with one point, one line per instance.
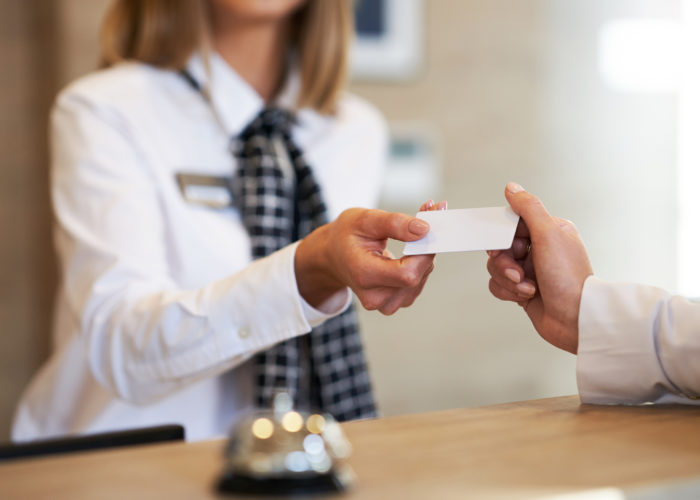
(351, 252)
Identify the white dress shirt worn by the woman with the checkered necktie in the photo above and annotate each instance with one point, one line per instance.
(159, 304)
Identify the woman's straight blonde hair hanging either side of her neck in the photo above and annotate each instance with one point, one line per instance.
(165, 33)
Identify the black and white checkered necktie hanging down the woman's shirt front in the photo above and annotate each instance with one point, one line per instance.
(280, 202)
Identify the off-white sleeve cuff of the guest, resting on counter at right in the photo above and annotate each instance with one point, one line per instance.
(637, 344)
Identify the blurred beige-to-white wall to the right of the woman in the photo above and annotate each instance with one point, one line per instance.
(514, 90)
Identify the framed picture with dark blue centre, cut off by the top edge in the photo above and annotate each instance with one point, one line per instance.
(389, 39)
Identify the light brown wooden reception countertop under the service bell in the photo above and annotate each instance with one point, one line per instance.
(519, 450)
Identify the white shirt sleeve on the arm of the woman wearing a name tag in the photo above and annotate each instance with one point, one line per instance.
(144, 336)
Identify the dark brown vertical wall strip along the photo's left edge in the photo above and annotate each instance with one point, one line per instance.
(27, 273)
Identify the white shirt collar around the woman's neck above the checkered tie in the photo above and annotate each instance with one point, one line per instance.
(235, 102)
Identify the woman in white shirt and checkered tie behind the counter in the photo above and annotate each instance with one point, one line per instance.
(183, 175)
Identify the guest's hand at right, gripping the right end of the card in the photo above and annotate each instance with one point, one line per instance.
(544, 271)
